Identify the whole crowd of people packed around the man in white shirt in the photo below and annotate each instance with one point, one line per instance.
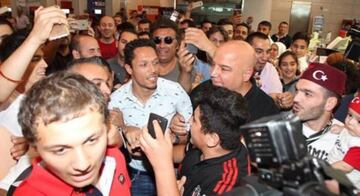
(76, 109)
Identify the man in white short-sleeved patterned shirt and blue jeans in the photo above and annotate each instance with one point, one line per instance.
(145, 93)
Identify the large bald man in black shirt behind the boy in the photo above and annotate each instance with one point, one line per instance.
(232, 68)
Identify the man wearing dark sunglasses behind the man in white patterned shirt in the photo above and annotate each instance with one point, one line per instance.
(166, 35)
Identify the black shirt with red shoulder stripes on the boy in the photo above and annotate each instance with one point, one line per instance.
(213, 176)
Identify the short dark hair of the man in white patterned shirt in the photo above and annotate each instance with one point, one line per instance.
(137, 43)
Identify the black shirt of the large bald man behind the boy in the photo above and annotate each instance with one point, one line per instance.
(259, 103)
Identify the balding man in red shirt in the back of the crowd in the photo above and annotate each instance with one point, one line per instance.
(107, 40)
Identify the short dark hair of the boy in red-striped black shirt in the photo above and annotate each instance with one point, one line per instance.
(223, 111)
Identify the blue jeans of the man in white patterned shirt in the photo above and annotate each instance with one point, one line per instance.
(142, 183)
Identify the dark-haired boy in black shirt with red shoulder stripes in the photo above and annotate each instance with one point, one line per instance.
(219, 161)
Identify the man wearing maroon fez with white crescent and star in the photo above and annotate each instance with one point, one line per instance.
(318, 93)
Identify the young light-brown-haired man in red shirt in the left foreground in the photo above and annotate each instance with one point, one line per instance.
(64, 117)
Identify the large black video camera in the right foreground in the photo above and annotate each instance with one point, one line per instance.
(277, 146)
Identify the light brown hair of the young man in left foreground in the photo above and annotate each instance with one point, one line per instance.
(60, 97)
